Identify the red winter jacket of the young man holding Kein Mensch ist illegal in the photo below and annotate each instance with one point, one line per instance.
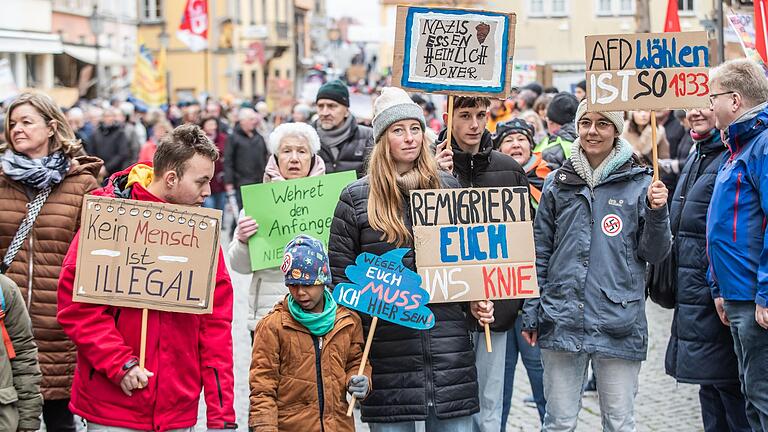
(186, 352)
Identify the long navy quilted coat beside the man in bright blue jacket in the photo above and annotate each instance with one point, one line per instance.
(700, 349)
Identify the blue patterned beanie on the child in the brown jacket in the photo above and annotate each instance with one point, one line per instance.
(305, 262)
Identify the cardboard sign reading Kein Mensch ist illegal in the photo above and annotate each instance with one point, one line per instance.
(147, 255)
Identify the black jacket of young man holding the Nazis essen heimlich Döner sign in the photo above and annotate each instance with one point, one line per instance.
(489, 168)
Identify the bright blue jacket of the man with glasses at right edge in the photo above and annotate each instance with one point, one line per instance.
(736, 219)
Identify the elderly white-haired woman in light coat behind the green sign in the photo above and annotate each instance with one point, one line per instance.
(293, 151)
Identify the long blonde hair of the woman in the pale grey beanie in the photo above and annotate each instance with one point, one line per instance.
(385, 202)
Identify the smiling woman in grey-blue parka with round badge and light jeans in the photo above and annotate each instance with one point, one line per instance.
(601, 218)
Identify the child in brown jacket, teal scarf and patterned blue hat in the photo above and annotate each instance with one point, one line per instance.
(308, 352)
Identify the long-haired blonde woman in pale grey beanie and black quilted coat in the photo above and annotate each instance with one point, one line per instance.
(418, 375)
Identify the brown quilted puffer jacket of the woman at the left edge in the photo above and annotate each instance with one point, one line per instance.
(37, 275)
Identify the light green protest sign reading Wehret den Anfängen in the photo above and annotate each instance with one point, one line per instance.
(285, 209)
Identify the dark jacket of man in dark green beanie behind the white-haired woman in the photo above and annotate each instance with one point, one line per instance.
(353, 152)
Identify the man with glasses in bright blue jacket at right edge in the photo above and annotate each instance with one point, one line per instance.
(736, 241)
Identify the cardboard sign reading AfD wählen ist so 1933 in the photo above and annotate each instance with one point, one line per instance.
(649, 71)
